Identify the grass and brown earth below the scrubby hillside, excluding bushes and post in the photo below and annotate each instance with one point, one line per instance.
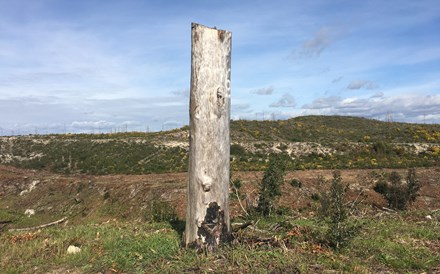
(120, 224)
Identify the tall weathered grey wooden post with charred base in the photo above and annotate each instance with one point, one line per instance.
(207, 217)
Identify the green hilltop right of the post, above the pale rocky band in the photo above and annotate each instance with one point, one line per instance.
(334, 129)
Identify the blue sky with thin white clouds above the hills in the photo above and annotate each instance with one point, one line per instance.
(89, 66)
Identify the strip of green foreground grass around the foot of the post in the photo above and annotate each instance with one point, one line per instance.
(393, 242)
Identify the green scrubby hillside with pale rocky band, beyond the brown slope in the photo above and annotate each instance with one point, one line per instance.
(312, 142)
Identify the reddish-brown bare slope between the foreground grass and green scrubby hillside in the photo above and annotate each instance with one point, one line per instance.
(86, 197)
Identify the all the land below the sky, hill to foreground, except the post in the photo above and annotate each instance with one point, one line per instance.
(306, 207)
